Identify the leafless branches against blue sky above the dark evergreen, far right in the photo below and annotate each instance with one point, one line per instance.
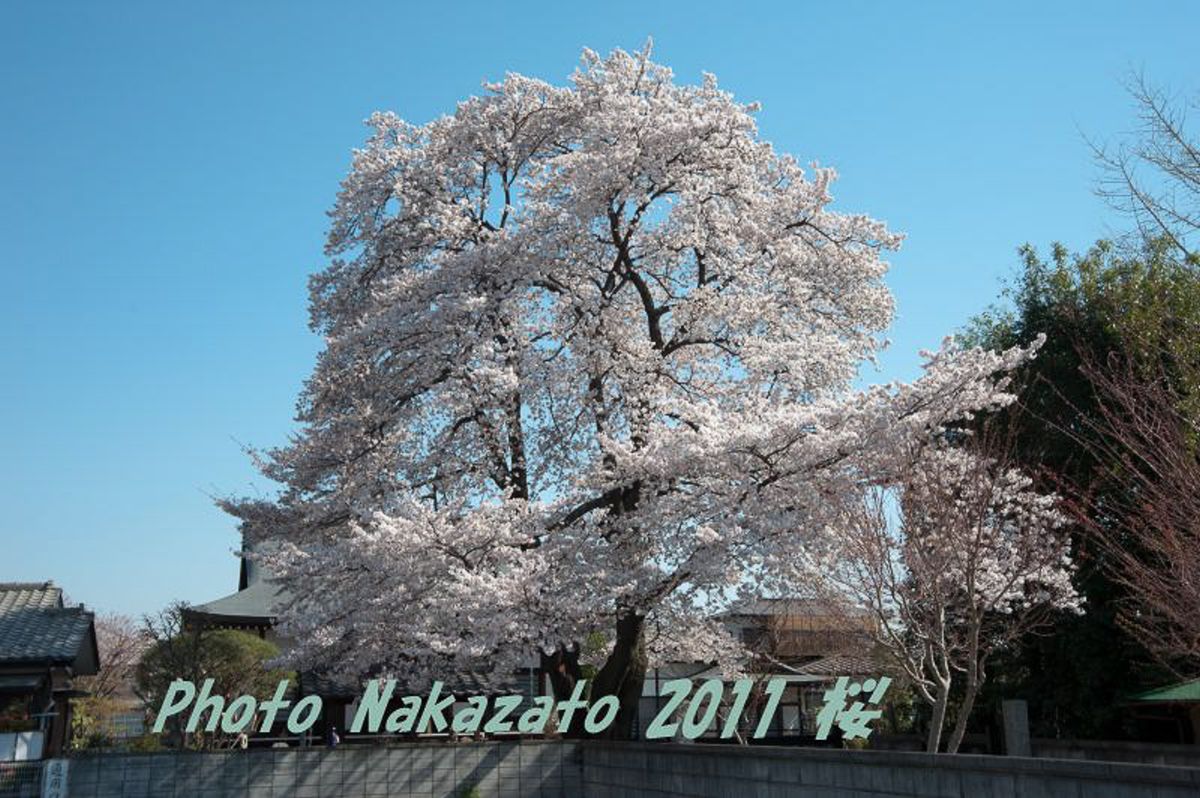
(1155, 177)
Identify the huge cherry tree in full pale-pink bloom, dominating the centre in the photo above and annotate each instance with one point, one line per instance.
(589, 363)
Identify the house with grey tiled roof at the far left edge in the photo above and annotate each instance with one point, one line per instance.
(44, 646)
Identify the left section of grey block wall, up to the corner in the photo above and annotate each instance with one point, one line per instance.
(507, 770)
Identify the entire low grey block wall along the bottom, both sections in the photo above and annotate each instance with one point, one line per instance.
(599, 770)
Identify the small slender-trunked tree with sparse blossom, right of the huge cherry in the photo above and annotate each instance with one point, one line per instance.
(955, 563)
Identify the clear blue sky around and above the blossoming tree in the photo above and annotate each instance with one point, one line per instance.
(166, 170)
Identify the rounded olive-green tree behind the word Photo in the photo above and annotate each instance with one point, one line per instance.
(237, 662)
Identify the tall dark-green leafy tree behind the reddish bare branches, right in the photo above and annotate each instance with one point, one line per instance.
(1142, 307)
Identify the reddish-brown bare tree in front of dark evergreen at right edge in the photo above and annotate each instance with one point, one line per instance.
(1147, 517)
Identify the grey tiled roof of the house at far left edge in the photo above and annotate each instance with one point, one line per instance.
(35, 627)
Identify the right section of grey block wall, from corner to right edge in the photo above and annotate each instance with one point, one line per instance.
(698, 771)
